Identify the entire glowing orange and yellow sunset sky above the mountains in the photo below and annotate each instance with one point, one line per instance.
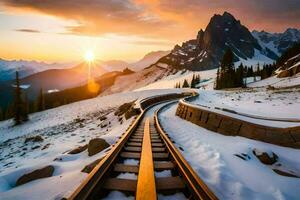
(62, 30)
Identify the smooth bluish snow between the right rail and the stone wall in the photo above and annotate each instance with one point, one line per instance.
(212, 156)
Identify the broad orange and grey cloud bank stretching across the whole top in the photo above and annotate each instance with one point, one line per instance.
(168, 19)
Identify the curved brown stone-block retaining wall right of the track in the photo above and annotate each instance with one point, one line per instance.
(226, 125)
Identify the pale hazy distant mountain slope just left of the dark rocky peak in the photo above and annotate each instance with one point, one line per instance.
(148, 59)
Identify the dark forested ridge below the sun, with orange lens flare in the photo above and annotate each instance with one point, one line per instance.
(21, 105)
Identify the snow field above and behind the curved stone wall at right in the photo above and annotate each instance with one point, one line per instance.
(283, 104)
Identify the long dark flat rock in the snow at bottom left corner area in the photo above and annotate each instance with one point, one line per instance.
(36, 174)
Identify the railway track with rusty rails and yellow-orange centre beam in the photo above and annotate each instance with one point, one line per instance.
(144, 164)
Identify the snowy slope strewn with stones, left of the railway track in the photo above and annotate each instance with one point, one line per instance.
(62, 129)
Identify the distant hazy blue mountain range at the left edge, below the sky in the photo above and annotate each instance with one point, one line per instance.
(26, 68)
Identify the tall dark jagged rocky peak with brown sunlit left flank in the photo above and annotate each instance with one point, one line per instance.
(223, 32)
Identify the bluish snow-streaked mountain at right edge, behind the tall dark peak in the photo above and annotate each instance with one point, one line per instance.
(277, 42)
